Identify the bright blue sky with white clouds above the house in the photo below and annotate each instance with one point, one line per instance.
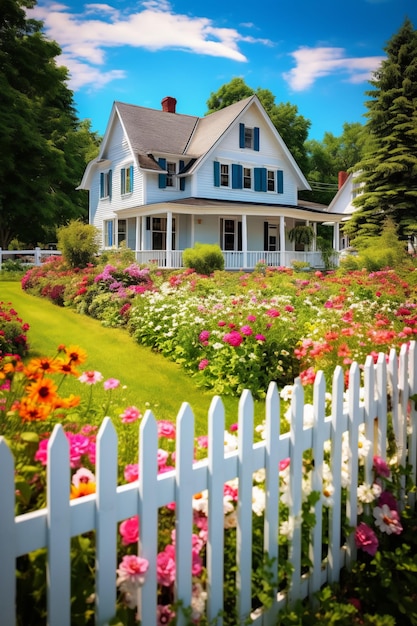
(315, 54)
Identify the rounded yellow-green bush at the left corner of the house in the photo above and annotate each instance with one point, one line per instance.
(78, 243)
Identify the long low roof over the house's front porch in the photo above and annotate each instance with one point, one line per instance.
(311, 211)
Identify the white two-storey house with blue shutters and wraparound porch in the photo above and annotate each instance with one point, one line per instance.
(163, 181)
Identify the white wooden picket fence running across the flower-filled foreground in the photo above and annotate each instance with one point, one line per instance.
(54, 526)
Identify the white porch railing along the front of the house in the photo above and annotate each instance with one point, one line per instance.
(237, 260)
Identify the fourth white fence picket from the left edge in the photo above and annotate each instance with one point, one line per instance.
(148, 514)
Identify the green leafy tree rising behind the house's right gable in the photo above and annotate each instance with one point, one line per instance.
(292, 127)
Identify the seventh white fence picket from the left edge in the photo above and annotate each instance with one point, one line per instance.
(244, 510)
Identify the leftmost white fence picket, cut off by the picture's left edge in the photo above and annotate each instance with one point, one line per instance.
(7, 536)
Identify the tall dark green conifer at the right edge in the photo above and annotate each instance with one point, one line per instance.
(389, 167)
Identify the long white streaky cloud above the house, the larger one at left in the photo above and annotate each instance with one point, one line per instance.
(84, 38)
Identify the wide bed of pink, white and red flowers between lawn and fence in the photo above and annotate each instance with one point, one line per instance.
(237, 331)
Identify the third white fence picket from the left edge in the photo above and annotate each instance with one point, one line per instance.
(106, 512)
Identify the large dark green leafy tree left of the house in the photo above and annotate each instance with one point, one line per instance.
(43, 145)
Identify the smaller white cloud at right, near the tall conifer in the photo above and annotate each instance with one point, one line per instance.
(314, 63)
